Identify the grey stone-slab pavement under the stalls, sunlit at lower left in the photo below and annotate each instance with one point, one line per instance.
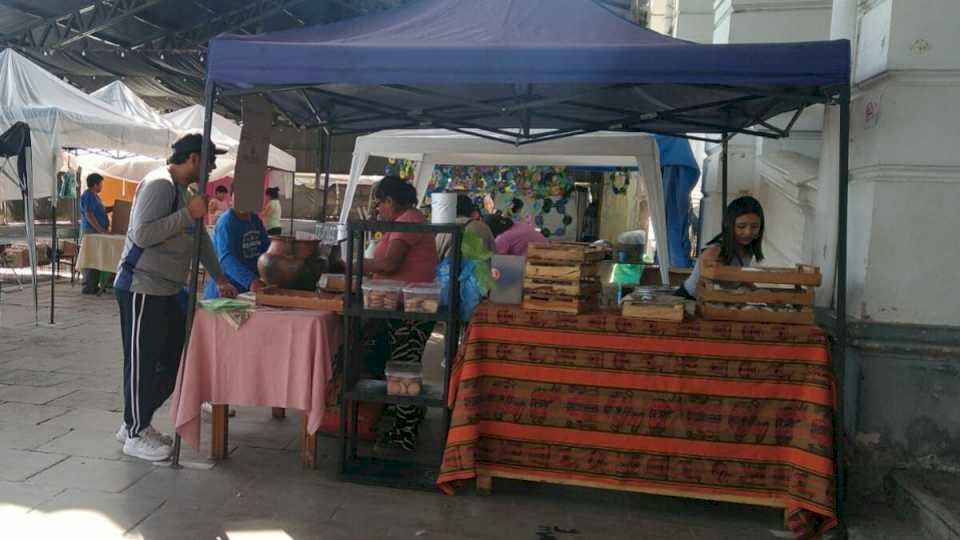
(62, 474)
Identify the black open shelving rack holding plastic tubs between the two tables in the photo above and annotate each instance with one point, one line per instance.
(355, 467)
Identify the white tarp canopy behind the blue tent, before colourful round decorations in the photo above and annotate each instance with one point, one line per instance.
(429, 148)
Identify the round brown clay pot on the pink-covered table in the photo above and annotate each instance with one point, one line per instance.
(291, 264)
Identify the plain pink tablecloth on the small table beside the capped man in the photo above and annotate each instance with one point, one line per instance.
(278, 358)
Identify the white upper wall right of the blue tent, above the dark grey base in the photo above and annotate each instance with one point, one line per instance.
(903, 254)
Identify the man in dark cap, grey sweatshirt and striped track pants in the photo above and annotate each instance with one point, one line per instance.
(152, 273)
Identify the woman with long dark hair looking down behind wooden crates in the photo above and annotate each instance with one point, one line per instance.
(738, 244)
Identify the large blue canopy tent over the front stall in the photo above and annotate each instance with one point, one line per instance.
(501, 69)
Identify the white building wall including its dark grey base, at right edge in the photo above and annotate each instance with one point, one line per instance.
(903, 364)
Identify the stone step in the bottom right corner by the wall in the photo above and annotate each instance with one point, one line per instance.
(932, 499)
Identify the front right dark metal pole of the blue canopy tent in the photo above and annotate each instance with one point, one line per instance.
(839, 360)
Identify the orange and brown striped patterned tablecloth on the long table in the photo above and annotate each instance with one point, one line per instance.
(720, 410)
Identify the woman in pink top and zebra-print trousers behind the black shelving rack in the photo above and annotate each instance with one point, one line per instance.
(410, 258)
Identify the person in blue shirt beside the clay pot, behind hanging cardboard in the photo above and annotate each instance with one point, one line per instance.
(239, 239)
